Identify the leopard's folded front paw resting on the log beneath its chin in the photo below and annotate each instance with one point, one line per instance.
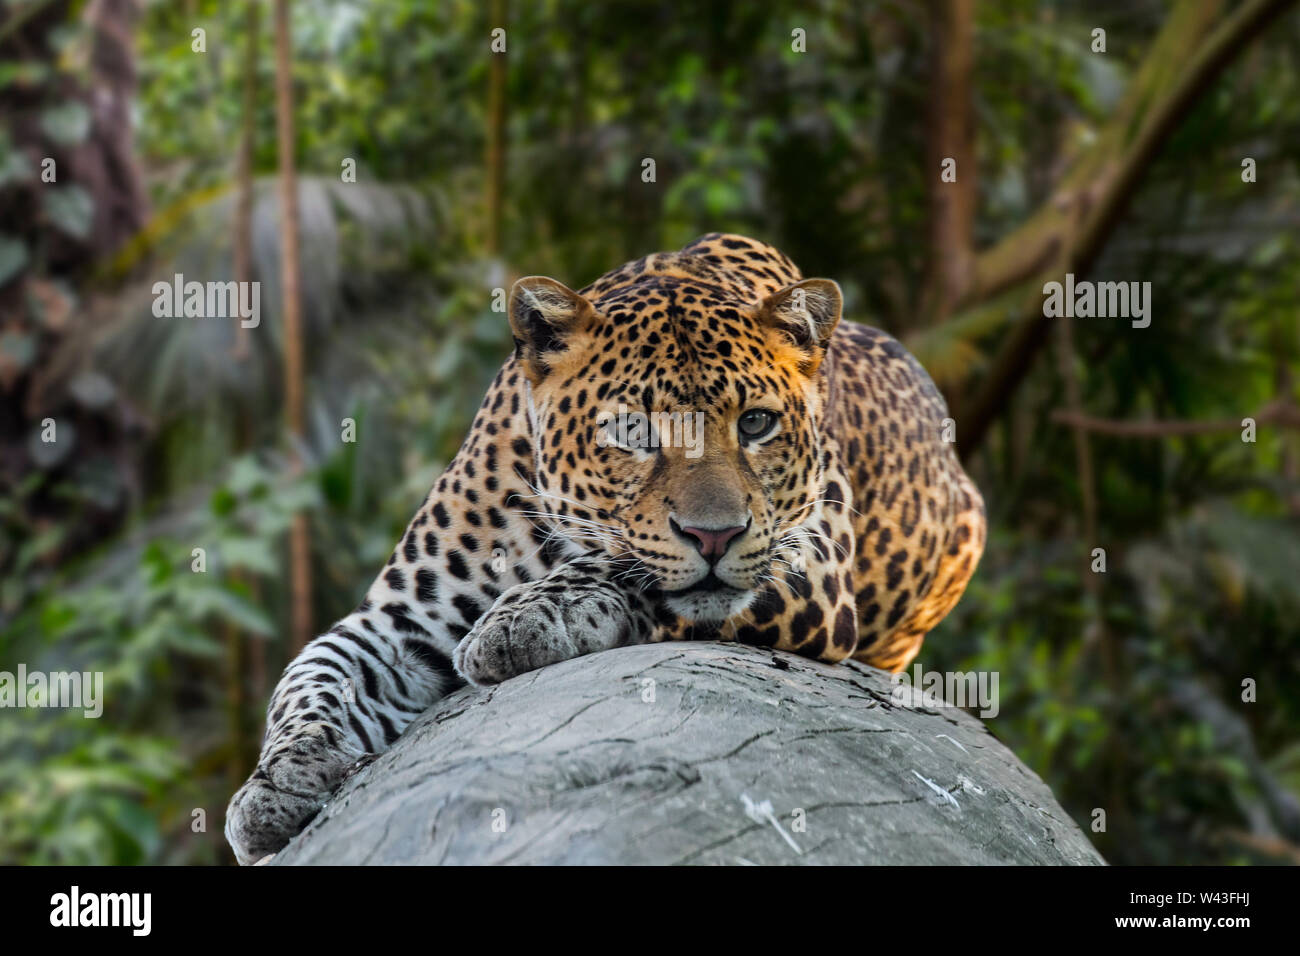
(580, 608)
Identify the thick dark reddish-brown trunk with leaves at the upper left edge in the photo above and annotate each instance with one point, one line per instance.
(57, 254)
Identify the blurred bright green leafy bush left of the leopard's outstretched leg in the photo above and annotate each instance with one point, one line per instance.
(141, 617)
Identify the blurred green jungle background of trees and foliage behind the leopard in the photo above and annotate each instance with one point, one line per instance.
(818, 127)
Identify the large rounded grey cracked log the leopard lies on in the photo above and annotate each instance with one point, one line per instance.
(582, 764)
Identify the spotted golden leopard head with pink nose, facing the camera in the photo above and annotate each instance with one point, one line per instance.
(677, 421)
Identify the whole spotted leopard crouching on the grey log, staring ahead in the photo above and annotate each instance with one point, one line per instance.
(691, 448)
